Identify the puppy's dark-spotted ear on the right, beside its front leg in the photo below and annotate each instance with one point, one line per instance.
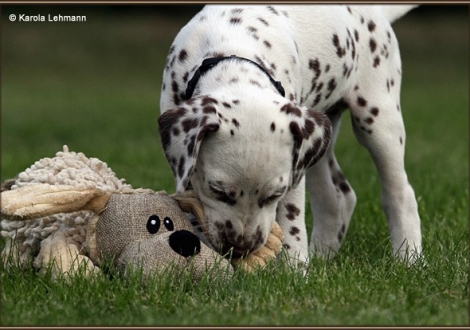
(312, 132)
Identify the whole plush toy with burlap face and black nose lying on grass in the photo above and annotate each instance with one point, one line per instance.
(72, 210)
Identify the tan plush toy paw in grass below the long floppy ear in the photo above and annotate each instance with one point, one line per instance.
(65, 259)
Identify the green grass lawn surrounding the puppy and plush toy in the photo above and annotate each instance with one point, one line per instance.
(95, 87)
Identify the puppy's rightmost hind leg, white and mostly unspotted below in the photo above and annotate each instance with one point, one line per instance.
(379, 127)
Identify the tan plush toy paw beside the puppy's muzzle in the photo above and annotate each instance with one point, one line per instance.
(262, 256)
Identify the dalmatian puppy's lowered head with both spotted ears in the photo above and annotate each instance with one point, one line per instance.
(241, 157)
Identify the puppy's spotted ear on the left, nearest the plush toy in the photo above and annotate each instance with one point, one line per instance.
(182, 130)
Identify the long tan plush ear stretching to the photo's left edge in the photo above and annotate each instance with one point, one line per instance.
(40, 200)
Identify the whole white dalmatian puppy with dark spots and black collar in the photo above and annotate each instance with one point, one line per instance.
(251, 103)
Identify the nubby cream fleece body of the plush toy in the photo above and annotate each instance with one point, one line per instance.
(26, 238)
